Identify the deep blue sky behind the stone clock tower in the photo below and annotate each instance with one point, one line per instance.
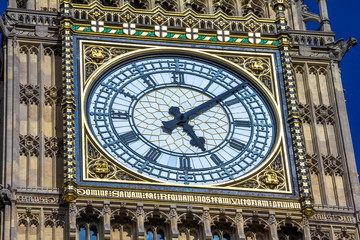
(344, 22)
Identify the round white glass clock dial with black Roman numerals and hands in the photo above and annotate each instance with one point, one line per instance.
(181, 120)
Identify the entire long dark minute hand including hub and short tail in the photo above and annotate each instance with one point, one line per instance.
(169, 126)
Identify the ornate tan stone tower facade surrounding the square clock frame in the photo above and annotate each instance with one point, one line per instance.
(36, 201)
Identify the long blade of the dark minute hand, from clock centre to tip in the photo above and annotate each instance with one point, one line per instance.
(193, 113)
